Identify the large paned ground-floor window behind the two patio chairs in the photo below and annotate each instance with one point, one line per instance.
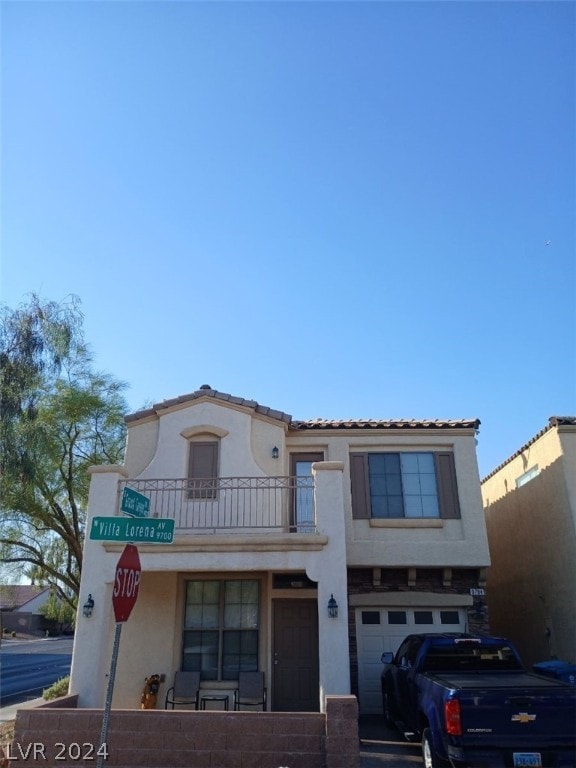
(221, 624)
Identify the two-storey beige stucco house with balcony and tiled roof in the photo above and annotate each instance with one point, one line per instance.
(277, 519)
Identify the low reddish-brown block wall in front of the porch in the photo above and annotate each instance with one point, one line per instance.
(209, 739)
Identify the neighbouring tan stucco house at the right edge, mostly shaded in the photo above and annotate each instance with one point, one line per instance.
(530, 509)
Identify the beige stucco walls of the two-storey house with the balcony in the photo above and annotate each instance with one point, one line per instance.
(158, 448)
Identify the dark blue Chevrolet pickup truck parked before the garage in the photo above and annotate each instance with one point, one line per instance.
(472, 703)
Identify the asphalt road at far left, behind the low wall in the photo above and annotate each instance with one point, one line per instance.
(27, 667)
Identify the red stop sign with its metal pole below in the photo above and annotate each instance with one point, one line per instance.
(124, 596)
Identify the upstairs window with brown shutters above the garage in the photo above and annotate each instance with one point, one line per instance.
(403, 485)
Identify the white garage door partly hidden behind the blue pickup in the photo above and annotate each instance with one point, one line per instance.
(383, 629)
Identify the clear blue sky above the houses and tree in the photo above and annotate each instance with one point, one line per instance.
(339, 209)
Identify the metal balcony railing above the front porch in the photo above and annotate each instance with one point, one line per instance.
(231, 504)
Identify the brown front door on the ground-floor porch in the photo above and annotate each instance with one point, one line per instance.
(295, 656)
